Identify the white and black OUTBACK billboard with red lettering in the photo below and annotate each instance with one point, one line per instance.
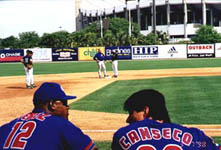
(200, 50)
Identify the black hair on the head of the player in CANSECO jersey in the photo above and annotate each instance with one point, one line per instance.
(150, 98)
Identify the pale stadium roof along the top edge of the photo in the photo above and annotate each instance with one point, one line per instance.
(99, 6)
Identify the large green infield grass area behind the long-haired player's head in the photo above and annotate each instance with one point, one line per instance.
(190, 100)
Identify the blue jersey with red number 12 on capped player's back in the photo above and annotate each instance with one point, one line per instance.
(41, 131)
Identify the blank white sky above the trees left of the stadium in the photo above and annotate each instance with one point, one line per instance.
(41, 16)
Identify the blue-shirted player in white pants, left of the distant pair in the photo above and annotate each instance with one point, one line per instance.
(100, 58)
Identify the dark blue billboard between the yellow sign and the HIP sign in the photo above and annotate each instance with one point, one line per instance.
(124, 52)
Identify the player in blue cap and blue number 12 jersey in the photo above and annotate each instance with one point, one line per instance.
(47, 126)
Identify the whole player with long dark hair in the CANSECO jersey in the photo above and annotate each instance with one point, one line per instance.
(150, 127)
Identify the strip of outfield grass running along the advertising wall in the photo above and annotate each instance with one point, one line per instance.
(14, 69)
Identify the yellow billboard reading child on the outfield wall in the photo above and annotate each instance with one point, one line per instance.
(87, 53)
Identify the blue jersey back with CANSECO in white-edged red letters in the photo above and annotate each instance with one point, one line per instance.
(151, 135)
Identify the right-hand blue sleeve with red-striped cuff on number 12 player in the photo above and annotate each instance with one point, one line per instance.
(76, 138)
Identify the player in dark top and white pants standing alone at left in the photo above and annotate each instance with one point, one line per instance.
(28, 66)
